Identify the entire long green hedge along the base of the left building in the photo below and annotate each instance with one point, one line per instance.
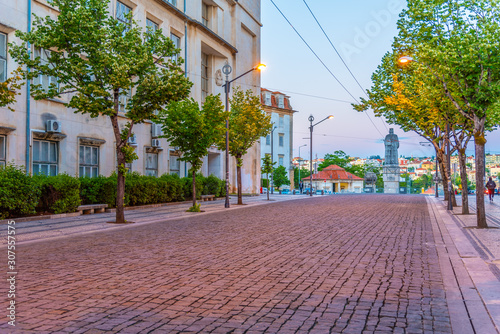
(22, 195)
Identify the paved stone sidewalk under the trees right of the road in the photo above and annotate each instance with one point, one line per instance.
(472, 256)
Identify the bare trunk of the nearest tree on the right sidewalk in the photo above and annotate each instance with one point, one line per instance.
(479, 142)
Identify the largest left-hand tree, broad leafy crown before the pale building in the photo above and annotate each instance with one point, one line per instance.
(97, 59)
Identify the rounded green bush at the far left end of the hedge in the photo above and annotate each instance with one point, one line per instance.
(19, 193)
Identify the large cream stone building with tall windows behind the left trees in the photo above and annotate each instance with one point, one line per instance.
(49, 138)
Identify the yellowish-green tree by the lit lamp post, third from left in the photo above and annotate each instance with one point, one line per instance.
(247, 124)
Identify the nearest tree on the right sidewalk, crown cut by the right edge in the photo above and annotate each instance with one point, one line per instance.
(458, 43)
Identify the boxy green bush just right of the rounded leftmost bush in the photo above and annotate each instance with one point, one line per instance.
(60, 193)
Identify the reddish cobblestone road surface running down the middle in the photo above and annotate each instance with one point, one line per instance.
(350, 264)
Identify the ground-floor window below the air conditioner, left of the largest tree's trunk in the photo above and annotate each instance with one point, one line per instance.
(45, 157)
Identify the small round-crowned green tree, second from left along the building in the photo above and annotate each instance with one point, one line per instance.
(193, 130)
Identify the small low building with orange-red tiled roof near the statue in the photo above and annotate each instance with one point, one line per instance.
(334, 179)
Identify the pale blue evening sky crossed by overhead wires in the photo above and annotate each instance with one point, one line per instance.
(362, 31)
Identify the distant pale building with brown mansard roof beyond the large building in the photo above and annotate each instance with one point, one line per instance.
(280, 141)
